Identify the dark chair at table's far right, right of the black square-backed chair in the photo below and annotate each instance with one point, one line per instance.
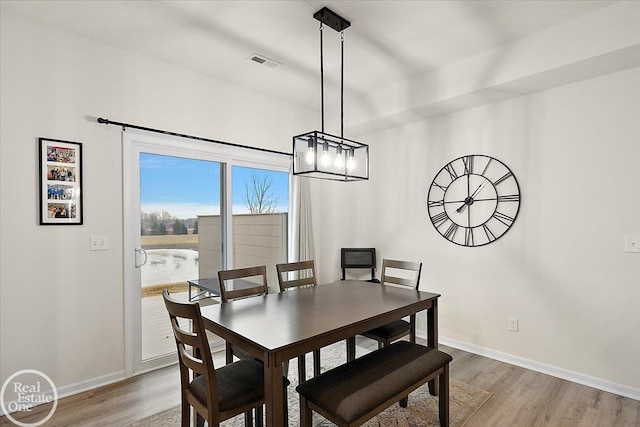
(410, 277)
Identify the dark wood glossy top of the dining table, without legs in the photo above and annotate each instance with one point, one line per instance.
(324, 314)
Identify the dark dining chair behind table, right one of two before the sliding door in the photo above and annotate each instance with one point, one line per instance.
(295, 275)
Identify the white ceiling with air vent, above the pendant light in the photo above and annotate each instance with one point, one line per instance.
(388, 42)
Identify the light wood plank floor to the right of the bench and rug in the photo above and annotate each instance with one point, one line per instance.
(522, 397)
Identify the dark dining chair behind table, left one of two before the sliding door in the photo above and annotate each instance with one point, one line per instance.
(230, 291)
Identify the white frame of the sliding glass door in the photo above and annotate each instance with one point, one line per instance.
(135, 142)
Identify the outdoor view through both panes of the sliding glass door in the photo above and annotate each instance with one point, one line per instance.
(181, 231)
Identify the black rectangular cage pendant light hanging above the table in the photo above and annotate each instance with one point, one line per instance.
(317, 154)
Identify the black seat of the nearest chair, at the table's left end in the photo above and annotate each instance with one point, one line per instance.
(239, 383)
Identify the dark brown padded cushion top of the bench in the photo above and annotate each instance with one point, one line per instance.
(352, 390)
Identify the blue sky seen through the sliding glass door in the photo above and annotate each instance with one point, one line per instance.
(186, 188)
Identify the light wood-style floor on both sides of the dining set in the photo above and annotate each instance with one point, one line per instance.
(521, 398)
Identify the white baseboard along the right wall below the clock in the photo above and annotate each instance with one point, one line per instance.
(554, 371)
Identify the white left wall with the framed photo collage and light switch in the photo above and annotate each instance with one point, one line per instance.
(61, 306)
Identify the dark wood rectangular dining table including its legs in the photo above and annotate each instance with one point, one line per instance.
(278, 327)
